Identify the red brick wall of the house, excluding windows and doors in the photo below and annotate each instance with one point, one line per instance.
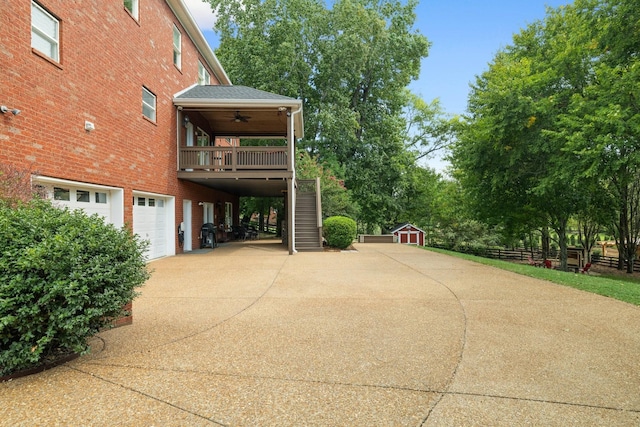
(106, 57)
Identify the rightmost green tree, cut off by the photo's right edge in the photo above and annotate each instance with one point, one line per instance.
(602, 124)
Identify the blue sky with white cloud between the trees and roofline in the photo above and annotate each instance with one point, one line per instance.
(465, 35)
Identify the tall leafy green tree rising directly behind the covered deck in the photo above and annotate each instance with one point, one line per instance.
(350, 65)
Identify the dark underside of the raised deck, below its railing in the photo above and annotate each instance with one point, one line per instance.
(248, 187)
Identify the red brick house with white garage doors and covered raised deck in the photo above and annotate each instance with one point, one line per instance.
(125, 111)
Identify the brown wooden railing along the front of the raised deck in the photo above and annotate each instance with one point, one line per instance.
(224, 159)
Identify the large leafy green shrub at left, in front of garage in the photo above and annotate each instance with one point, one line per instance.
(63, 277)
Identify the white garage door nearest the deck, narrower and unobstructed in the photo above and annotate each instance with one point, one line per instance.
(150, 223)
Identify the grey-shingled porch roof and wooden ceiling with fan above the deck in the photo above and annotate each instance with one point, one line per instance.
(240, 111)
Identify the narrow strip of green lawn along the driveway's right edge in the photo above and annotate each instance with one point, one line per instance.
(614, 286)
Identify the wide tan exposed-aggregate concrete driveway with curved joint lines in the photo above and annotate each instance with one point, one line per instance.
(387, 335)
